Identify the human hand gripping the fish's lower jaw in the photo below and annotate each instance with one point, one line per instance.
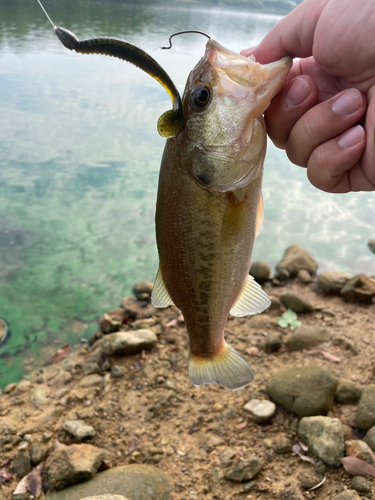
(328, 91)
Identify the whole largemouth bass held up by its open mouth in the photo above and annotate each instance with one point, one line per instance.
(210, 209)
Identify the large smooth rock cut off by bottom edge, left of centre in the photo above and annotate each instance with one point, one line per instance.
(135, 482)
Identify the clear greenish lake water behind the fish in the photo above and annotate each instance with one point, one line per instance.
(79, 162)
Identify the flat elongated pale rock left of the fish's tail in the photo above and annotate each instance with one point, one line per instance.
(130, 342)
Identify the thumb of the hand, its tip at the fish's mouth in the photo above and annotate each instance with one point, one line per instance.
(293, 35)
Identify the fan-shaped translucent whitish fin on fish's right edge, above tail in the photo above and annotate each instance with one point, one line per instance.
(253, 299)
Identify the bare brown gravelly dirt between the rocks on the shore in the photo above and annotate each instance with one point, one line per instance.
(154, 415)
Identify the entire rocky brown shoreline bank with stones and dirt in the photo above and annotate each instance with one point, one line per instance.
(119, 420)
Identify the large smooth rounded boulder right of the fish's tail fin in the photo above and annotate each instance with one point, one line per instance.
(307, 390)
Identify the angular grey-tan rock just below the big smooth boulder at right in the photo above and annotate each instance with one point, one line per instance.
(325, 436)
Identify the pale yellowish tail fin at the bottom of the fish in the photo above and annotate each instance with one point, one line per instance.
(228, 369)
